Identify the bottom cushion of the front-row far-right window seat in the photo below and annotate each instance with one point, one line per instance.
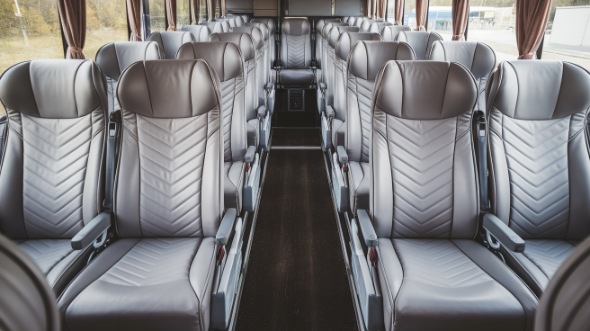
(539, 261)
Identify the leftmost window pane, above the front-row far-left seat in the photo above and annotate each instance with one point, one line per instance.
(29, 29)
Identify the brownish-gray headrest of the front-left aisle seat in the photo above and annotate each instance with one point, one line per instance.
(169, 89)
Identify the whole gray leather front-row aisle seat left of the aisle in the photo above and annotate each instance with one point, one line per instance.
(168, 210)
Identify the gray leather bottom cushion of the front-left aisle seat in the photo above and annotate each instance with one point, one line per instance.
(143, 284)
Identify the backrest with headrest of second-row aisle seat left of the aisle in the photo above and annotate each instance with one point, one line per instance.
(225, 59)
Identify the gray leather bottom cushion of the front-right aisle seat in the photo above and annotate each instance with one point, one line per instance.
(440, 284)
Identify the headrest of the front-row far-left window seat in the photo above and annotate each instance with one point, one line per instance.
(54, 88)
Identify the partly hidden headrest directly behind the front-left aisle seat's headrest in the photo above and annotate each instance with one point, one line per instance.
(223, 57)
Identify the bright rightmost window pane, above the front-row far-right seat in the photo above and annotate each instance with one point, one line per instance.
(567, 35)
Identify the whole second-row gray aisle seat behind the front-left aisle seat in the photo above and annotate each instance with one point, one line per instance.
(226, 60)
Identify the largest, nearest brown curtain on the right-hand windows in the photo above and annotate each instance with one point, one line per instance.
(531, 19)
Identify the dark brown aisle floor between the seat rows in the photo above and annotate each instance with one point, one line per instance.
(296, 278)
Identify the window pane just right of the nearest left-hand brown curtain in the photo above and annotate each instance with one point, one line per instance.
(106, 21)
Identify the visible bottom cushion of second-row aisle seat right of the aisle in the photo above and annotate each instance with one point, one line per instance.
(359, 179)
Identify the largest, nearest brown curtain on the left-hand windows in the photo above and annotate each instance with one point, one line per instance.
(72, 14)
